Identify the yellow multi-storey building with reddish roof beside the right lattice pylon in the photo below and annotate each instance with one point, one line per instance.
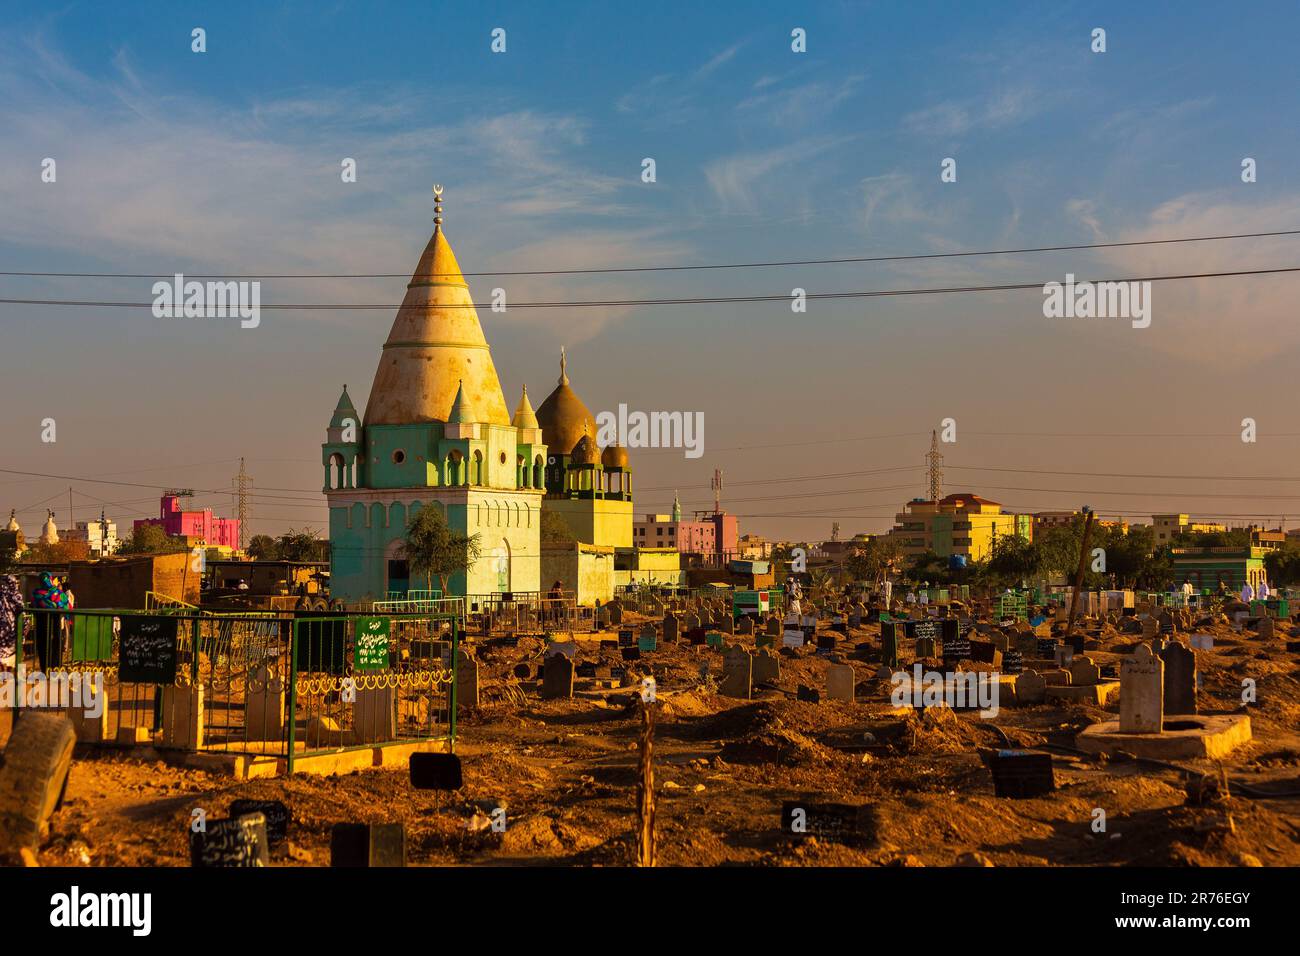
(960, 525)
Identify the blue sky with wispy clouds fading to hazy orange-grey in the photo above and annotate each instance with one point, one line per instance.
(228, 162)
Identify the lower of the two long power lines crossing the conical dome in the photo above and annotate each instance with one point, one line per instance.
(694, 301)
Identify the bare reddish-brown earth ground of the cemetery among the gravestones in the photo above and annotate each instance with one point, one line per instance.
(566, 775)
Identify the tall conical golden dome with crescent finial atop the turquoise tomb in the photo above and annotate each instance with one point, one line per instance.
(436, 348)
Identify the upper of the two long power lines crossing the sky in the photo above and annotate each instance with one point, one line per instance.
(848, 261)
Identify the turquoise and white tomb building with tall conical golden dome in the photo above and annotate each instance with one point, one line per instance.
(436, 434)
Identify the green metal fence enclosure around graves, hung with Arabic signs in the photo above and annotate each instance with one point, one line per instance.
(270, 685)
